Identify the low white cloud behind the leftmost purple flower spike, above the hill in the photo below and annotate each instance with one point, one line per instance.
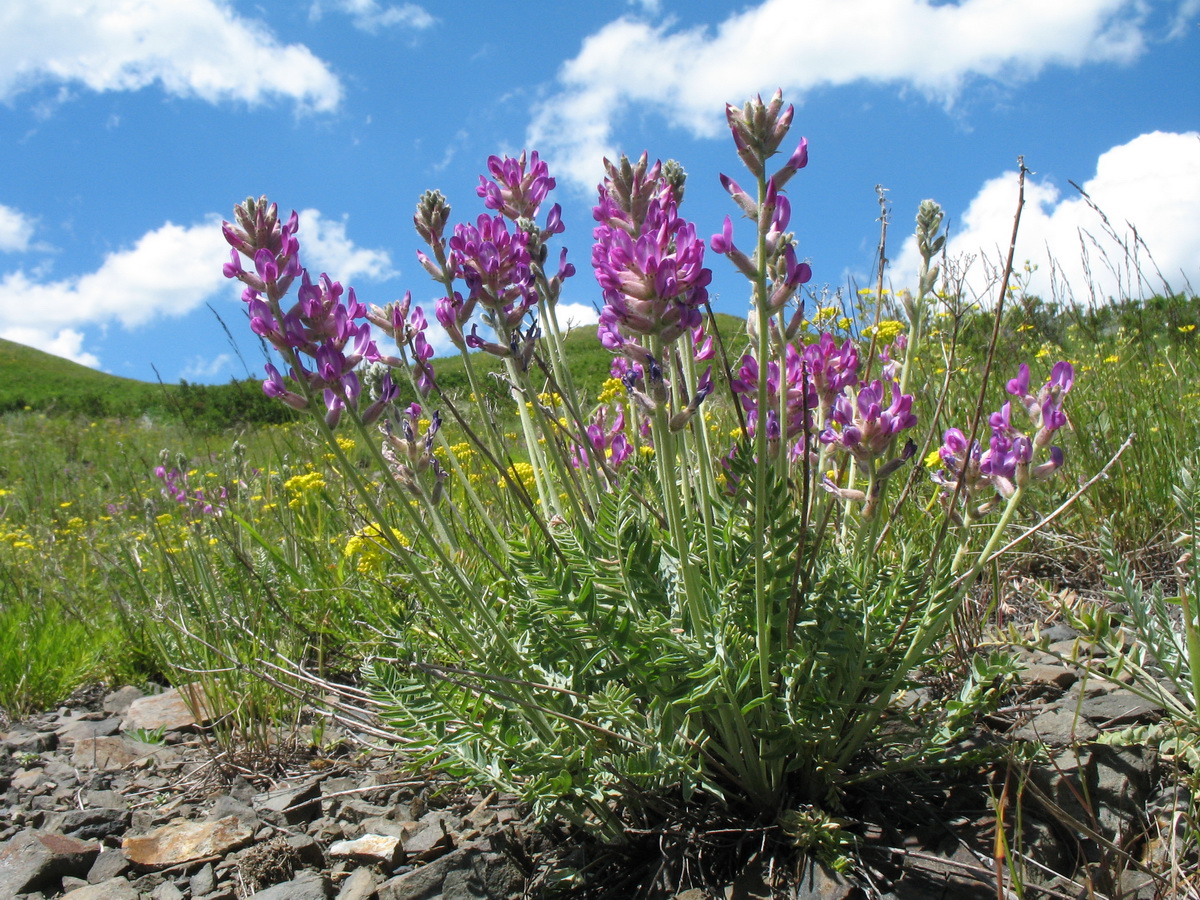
(166, 274)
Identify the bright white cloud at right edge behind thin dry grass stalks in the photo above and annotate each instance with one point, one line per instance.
(1150, 185)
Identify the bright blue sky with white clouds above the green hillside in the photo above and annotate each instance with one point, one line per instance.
(130, 128)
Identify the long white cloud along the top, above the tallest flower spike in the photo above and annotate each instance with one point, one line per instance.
(688, 75)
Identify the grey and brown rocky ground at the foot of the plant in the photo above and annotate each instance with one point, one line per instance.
(118, 796)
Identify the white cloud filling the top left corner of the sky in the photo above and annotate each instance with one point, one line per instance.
(193, 49)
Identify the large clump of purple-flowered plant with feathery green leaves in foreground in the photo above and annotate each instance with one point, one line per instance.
(644, 613)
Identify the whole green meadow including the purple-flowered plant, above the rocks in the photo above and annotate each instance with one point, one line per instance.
(589, 573)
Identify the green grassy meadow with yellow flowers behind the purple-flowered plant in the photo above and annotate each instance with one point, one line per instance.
(87, 536)
